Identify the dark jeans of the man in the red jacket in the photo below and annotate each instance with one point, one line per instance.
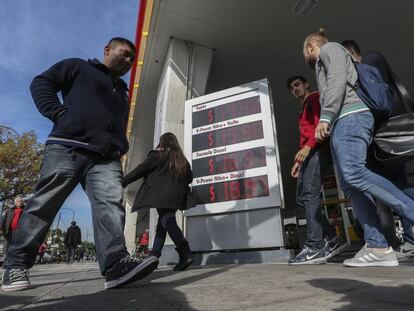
(308, 192)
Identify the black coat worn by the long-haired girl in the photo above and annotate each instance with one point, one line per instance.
(160, 189)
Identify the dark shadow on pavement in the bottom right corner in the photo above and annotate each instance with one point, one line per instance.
(361, 296)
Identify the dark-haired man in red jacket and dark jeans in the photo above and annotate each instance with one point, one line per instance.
(310, 165)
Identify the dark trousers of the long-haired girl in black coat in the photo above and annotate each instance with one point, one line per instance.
(166, 223)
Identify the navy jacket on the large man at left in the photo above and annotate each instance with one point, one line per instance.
(94, 111)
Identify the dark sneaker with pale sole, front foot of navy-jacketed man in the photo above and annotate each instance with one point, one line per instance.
(128, 270)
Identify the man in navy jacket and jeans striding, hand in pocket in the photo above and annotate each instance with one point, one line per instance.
(84, 146)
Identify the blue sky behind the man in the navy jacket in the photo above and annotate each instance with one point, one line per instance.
(36, 34)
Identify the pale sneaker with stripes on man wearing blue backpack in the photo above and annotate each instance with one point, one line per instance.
(368, 257)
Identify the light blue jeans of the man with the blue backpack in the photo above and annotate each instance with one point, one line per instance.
(350, 139)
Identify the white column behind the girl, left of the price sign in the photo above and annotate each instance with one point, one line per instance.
(184, 76)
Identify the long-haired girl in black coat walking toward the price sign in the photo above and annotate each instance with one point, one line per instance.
(167, 174)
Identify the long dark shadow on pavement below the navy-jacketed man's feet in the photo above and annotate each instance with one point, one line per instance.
(147, 294)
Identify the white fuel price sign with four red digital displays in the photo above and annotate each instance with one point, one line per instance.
(230, 141)
